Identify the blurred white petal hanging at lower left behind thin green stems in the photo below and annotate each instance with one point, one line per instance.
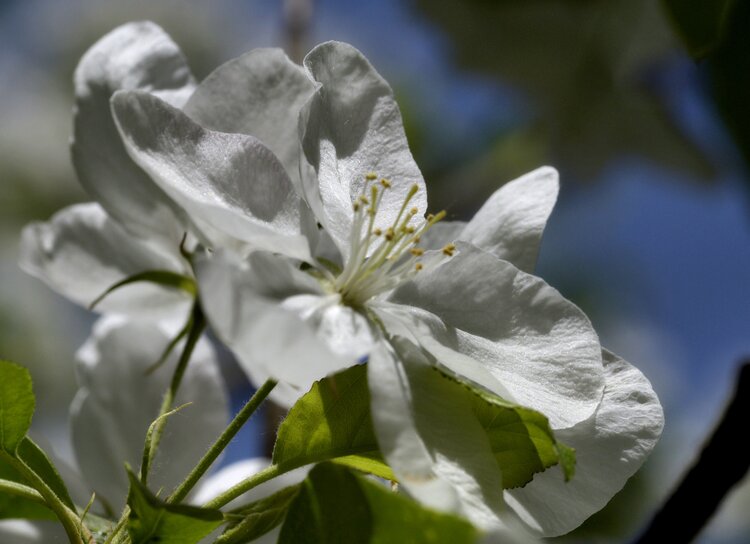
(118, 400)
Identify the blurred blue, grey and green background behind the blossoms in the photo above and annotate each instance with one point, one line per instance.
(639, 104)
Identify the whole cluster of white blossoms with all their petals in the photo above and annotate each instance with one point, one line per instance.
(289, 195)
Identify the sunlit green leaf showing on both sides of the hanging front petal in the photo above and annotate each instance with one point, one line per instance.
(332, 422)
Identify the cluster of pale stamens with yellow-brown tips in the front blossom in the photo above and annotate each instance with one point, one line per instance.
(394, 254)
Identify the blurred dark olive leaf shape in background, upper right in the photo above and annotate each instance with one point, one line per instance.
(590, 68)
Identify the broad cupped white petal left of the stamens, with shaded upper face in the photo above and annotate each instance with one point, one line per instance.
(231, 185)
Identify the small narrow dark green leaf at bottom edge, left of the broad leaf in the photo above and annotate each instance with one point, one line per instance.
(257, 518)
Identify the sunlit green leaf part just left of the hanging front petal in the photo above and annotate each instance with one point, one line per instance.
(332, 421)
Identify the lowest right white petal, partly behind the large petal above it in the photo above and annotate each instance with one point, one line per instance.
(610, 447)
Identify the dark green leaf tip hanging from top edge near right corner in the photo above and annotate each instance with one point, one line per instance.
(701, 24)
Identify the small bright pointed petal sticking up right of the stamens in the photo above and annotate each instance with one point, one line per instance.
(510, 224)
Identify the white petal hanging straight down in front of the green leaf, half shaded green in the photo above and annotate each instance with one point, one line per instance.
(429, 436)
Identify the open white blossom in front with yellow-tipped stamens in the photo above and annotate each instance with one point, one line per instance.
(475, 314)
